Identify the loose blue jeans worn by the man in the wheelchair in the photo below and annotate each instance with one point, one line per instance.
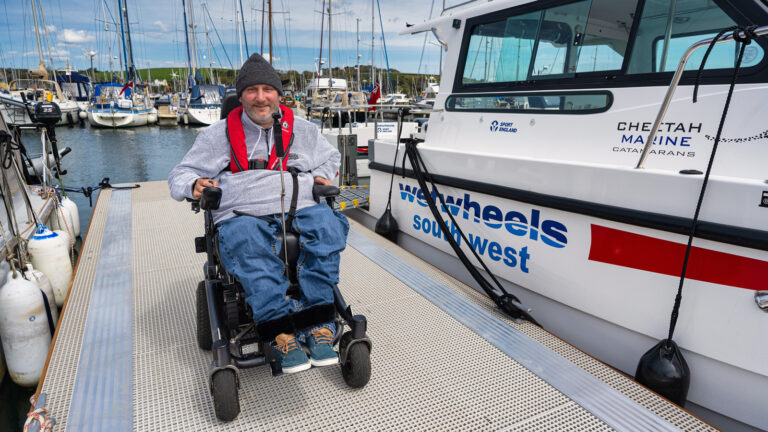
(251, 253)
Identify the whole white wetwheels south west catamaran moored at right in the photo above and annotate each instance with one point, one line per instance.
(537, 137)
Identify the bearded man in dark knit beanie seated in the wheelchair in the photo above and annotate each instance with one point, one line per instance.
(238, 155)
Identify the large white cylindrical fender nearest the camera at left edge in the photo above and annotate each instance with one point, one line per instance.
(24, 329)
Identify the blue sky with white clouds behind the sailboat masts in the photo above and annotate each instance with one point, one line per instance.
(77, 27)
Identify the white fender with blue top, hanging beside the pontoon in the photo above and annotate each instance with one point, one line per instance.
(50, 255)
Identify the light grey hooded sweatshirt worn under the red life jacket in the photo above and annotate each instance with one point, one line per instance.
(256, 192)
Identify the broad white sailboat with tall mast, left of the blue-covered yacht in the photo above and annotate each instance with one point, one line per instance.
(115, 105)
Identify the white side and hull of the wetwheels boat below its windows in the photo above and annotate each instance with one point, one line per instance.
(596, 249)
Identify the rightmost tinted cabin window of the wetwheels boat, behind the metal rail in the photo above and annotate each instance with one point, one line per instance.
(668, 27)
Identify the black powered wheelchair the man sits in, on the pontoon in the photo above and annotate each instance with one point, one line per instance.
(225, 323)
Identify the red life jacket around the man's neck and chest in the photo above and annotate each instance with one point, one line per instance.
(237, 139)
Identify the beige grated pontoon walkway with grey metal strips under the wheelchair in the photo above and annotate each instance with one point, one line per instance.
(125, 355)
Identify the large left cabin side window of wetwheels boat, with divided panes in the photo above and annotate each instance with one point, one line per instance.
(583, 36)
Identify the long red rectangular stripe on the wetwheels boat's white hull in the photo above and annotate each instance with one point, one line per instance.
(626, 249)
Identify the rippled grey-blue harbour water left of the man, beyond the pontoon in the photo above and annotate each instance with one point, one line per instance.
(125, 156)
